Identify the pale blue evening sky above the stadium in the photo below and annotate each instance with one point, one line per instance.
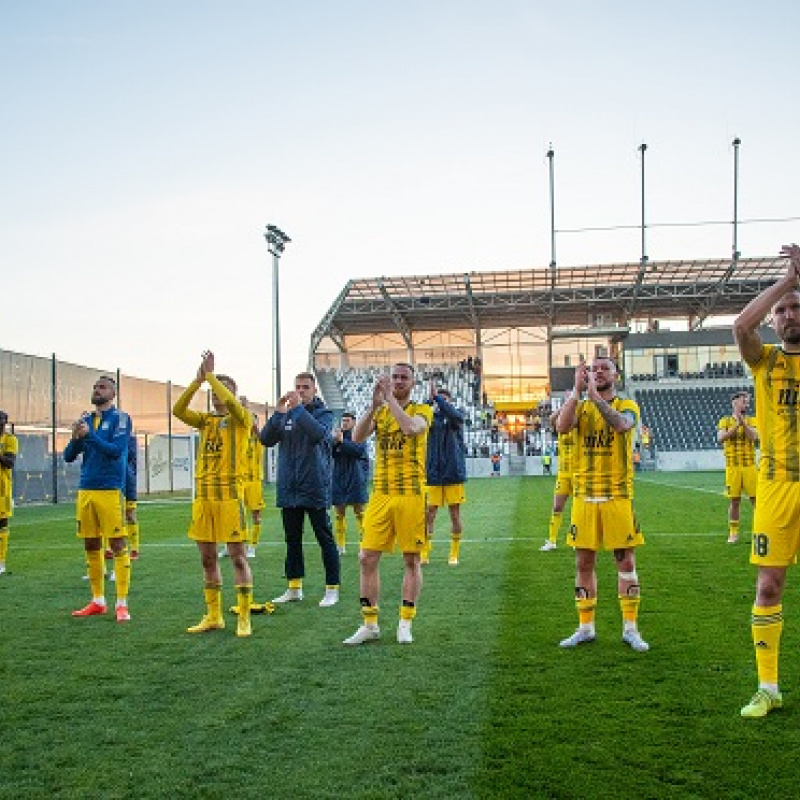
(145, 145)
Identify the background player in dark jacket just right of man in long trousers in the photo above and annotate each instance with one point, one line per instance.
(350, 471)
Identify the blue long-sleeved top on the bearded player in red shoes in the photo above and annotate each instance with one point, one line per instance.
(105, 451)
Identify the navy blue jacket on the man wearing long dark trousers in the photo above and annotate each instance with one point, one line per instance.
(304, 455)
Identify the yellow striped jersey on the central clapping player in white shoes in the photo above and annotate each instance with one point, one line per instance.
(400, 459)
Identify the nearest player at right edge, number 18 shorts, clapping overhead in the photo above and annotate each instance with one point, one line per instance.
(776, 523)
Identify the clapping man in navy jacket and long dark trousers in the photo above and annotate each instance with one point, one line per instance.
(302, 426)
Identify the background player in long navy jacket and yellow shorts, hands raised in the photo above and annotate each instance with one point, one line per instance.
(445, 469)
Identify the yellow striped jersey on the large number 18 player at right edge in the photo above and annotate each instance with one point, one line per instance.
(777, 389)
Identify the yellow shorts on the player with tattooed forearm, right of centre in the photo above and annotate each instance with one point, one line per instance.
(608, 525)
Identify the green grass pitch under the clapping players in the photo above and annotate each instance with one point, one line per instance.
(484, 704)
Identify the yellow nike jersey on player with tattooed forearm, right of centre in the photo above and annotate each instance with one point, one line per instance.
(603, 458)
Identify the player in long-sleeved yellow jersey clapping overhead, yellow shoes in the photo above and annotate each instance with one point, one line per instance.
(218, 508)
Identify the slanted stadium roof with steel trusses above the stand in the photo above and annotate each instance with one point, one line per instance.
(576, 298)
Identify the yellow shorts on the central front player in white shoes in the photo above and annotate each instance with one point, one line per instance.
(394, 519)
